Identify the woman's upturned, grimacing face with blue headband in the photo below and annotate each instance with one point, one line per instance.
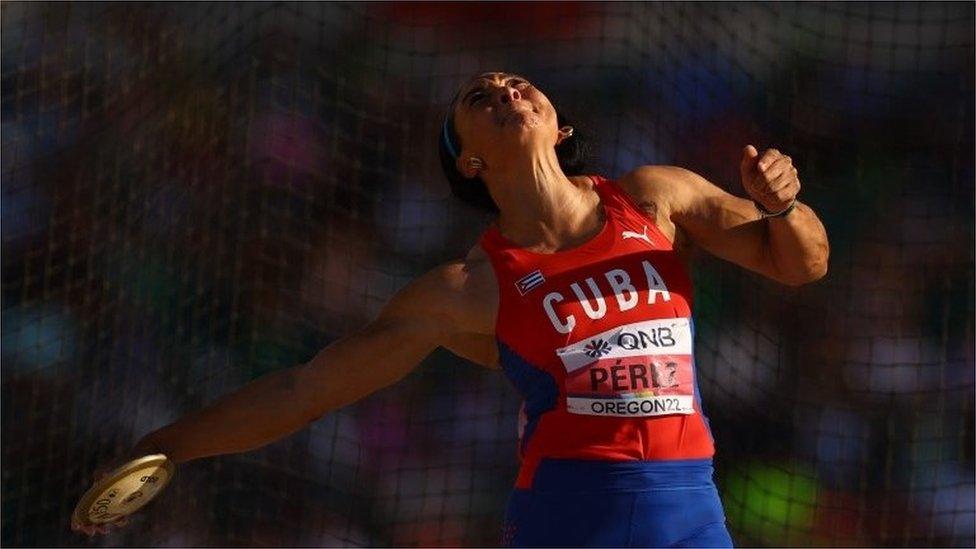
(498, 115)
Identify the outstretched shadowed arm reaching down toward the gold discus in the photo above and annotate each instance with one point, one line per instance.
(422, 316)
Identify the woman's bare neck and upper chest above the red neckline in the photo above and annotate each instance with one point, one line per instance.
(543, 208)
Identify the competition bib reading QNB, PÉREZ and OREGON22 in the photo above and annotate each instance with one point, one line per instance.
(635, 370)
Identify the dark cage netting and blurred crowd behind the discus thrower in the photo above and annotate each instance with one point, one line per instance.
(194, 195)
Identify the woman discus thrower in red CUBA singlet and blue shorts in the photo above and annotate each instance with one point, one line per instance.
(580, 292)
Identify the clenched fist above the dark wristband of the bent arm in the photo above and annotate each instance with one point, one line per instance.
(769, 179)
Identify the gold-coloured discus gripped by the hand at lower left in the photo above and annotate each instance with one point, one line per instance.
(120, 491)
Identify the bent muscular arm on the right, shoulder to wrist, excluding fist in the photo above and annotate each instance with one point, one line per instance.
(791, 250)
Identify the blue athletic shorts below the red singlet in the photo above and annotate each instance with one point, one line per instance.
(577, 503)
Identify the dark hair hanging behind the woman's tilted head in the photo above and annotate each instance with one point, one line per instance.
(472, 190)
